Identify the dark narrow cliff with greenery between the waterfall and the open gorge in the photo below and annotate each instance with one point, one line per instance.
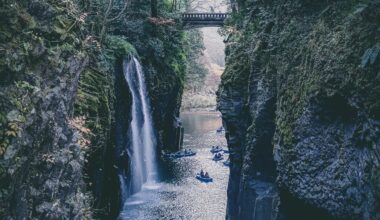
(160, 48)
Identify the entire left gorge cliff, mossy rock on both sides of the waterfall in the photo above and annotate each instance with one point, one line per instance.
(60, 91)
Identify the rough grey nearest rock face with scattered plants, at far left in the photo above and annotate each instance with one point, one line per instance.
(41, 157)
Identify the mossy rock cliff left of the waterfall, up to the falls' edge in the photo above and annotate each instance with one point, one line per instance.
(48, 65)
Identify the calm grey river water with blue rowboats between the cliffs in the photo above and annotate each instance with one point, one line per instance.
(179, 195)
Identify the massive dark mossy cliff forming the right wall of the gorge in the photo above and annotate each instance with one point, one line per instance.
(298, 99)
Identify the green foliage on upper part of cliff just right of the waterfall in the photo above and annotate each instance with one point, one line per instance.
(161, 47)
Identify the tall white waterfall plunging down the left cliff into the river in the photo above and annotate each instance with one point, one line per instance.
(142, 140)
